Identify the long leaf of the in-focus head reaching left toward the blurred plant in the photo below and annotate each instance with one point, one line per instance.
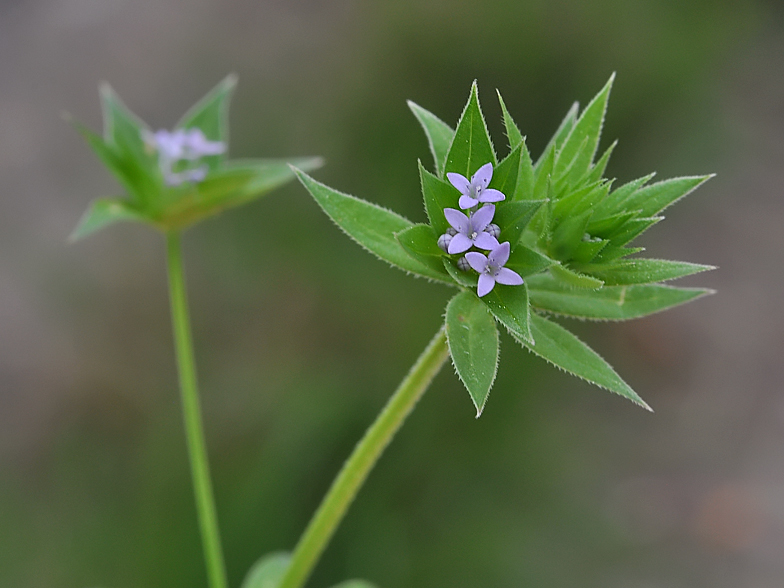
(371, 226)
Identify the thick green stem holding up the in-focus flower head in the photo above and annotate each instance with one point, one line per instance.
(345, 487)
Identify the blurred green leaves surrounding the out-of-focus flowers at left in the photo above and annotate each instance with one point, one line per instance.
(148, 198)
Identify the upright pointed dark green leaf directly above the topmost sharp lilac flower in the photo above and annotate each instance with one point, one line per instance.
(471, 147)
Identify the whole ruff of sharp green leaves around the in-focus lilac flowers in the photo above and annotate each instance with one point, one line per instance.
(569, 232)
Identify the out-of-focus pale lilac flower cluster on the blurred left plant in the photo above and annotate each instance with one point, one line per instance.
(182, 149)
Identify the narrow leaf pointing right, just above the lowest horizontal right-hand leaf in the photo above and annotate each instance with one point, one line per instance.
(641, 271)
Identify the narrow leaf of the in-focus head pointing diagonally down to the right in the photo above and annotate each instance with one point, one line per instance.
(562, 349)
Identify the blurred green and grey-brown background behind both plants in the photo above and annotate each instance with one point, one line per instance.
(301, 335)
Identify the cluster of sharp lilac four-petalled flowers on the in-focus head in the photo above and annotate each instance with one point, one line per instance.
(476, 229)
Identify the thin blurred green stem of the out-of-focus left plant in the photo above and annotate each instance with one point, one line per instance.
(197, 451)
